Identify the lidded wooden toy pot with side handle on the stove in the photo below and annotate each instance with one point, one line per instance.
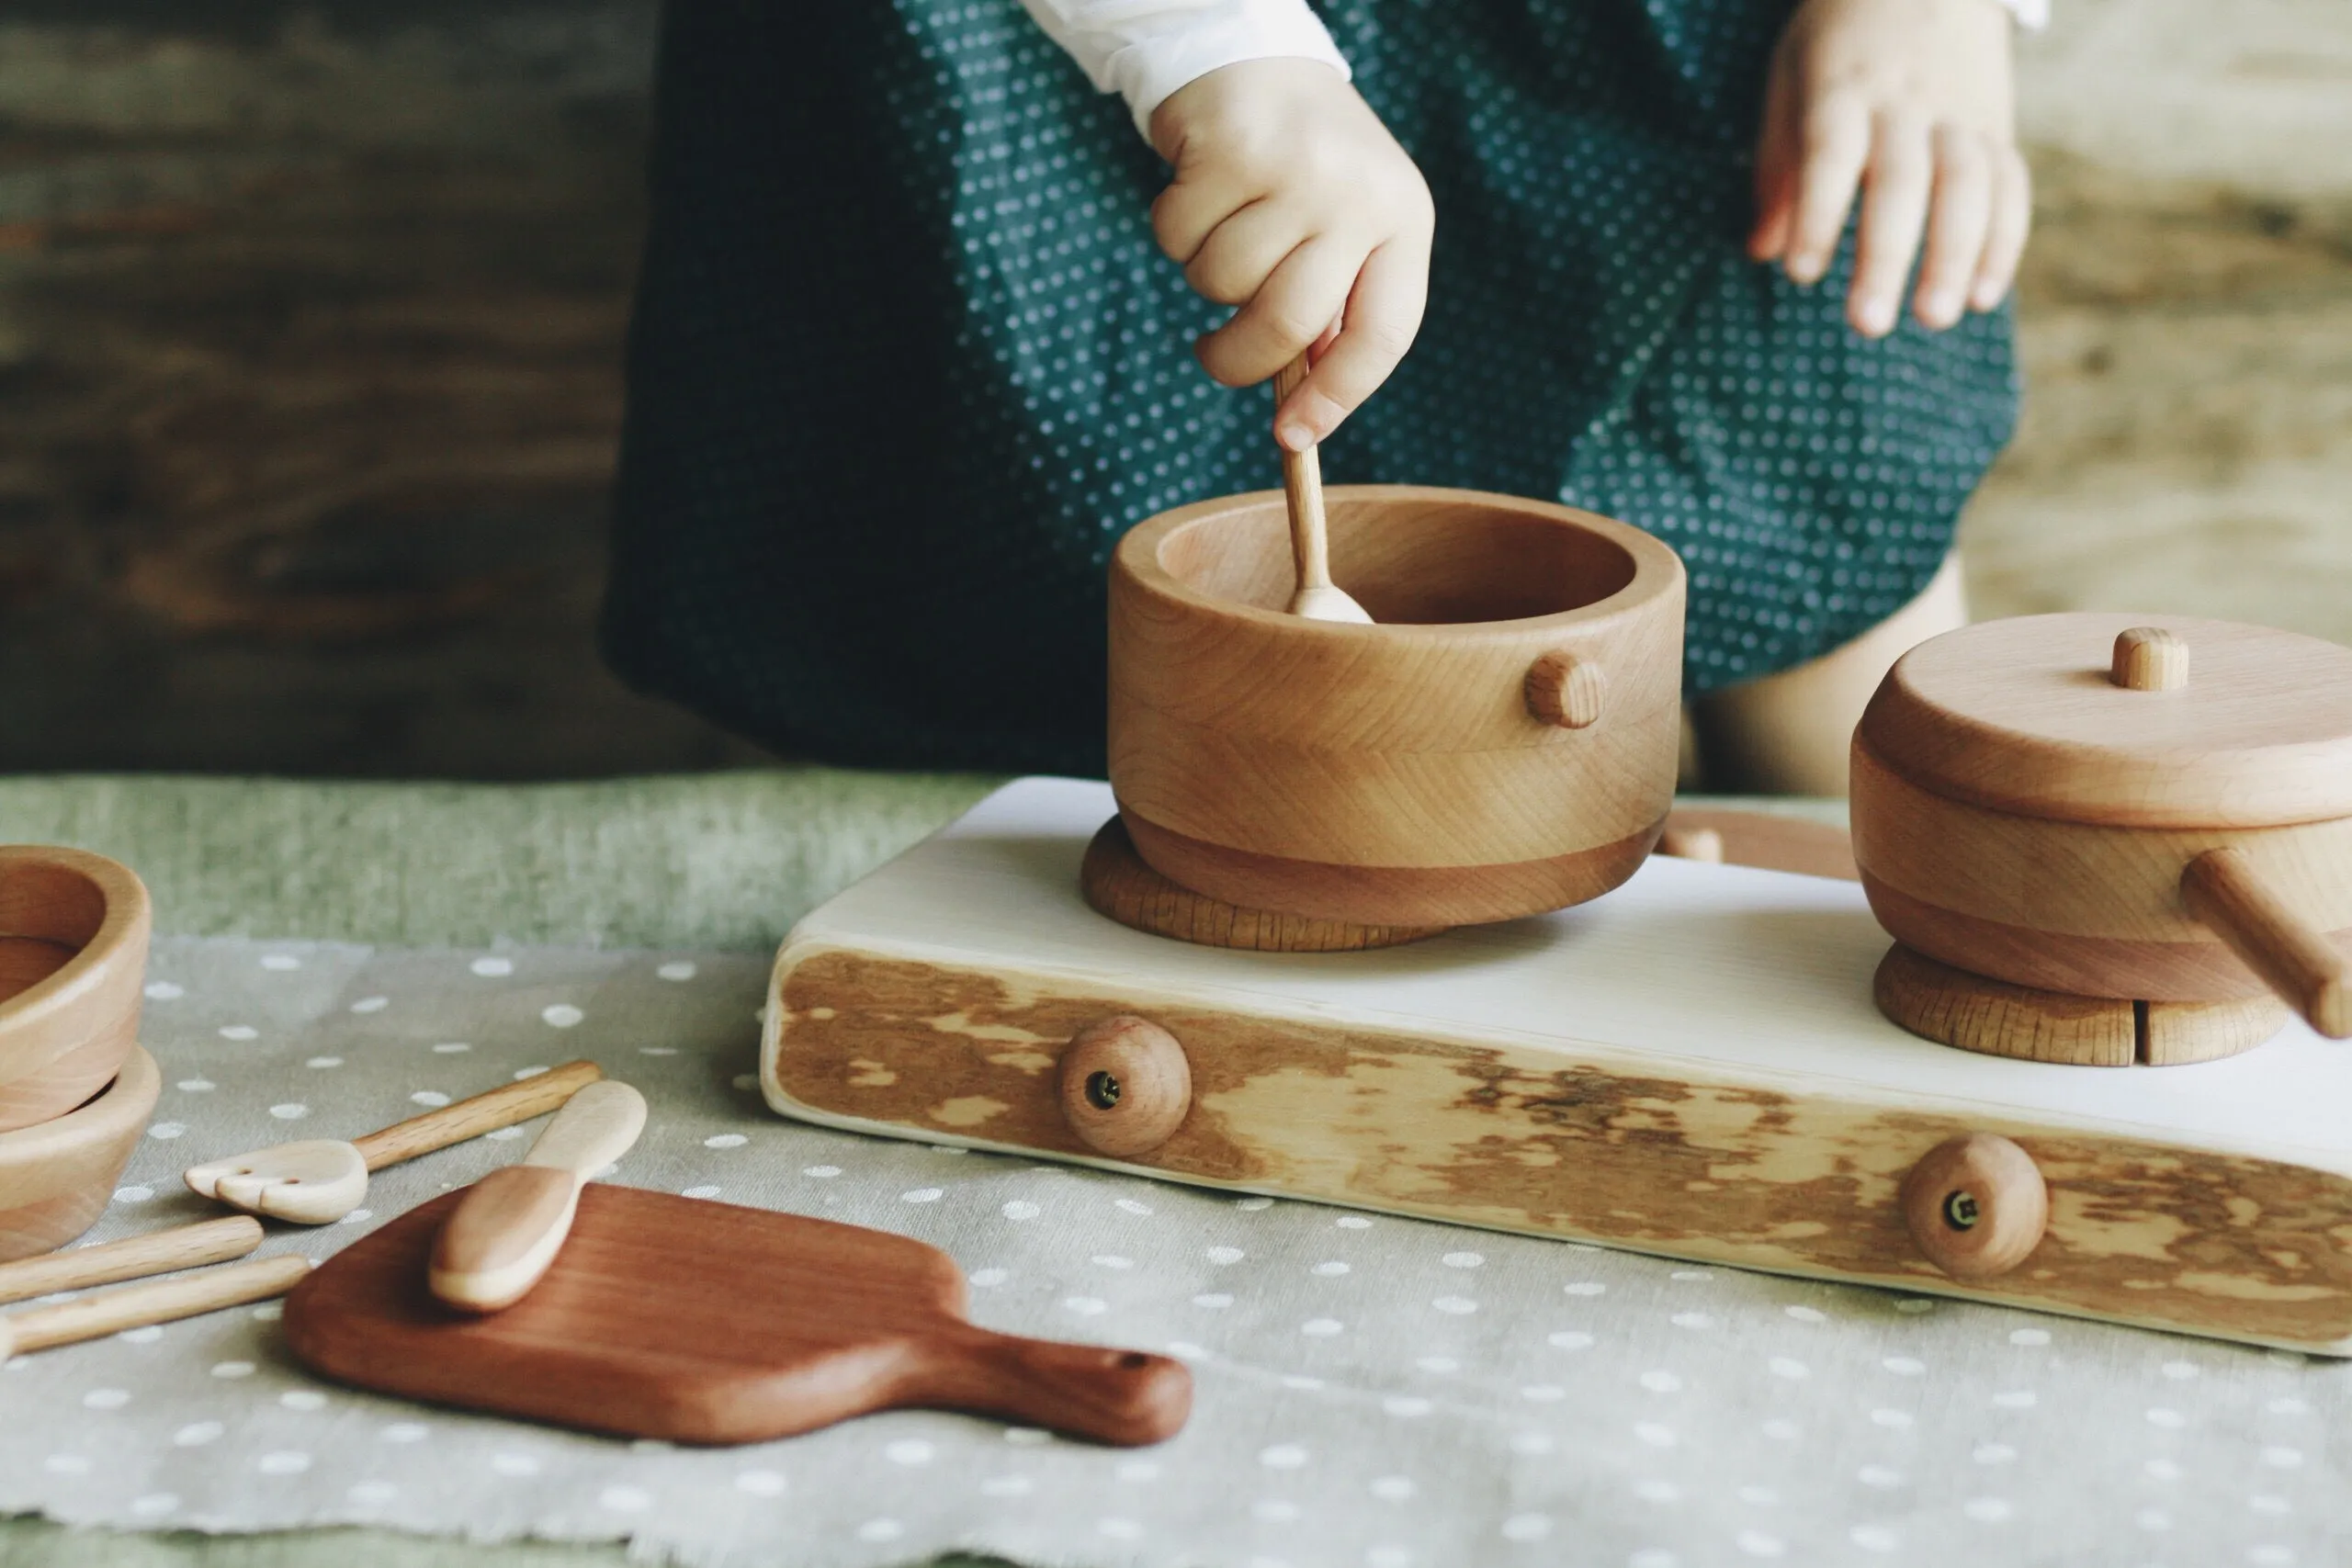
(2118, 808)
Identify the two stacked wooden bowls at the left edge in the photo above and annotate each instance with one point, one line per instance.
(74, 1085)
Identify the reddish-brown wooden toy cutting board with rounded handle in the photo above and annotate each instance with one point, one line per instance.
(711, 1325)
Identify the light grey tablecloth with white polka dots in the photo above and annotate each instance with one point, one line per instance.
(1372, 1393)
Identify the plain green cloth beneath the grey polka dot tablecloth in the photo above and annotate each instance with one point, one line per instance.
(704, 862)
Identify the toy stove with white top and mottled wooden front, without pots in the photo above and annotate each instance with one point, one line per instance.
(1690, 1066)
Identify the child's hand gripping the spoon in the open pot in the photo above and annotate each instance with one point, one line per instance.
(1295, 203)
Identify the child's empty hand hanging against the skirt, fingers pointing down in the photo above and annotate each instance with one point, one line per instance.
(1909, 98)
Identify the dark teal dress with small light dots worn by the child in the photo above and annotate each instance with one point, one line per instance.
(907, 361)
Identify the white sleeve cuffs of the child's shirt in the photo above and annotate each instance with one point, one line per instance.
(1144, 51)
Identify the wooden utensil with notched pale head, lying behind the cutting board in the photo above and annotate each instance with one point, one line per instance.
(321, 1181)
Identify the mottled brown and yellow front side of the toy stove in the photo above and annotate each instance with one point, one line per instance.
(1657, 1158)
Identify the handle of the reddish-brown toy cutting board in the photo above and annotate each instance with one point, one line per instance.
(1109, 1395)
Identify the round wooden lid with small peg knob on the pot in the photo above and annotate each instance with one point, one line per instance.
(2125, 721)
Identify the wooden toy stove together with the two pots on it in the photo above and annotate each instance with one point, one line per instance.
(1370, 916)
